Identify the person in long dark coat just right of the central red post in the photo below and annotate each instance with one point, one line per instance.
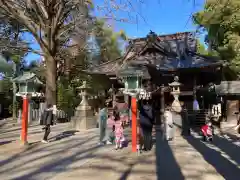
(146, 124)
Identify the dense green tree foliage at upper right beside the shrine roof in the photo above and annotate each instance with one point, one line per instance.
(221, 21)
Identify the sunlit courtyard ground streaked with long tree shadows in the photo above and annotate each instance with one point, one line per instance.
(72, 155)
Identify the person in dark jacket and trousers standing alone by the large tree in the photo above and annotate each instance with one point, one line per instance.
(47, 121)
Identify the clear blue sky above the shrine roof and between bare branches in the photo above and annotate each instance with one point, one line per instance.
(160, 16)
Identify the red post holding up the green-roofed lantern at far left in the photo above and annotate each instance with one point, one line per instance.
(24, 120)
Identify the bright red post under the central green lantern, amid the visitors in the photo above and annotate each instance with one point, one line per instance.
(134, 124)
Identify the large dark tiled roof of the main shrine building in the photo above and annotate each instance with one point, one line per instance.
(166, 52)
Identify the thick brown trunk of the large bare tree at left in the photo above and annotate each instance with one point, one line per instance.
(51, 80)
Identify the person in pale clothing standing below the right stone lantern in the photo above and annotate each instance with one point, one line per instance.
(168, 123)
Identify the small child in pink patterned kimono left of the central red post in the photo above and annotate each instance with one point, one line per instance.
(118, 130)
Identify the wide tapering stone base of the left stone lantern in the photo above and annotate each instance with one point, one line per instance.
(84, 119)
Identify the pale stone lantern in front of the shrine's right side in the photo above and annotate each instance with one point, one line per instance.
(175, 87)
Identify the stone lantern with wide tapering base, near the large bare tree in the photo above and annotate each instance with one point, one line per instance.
(84, 115)
